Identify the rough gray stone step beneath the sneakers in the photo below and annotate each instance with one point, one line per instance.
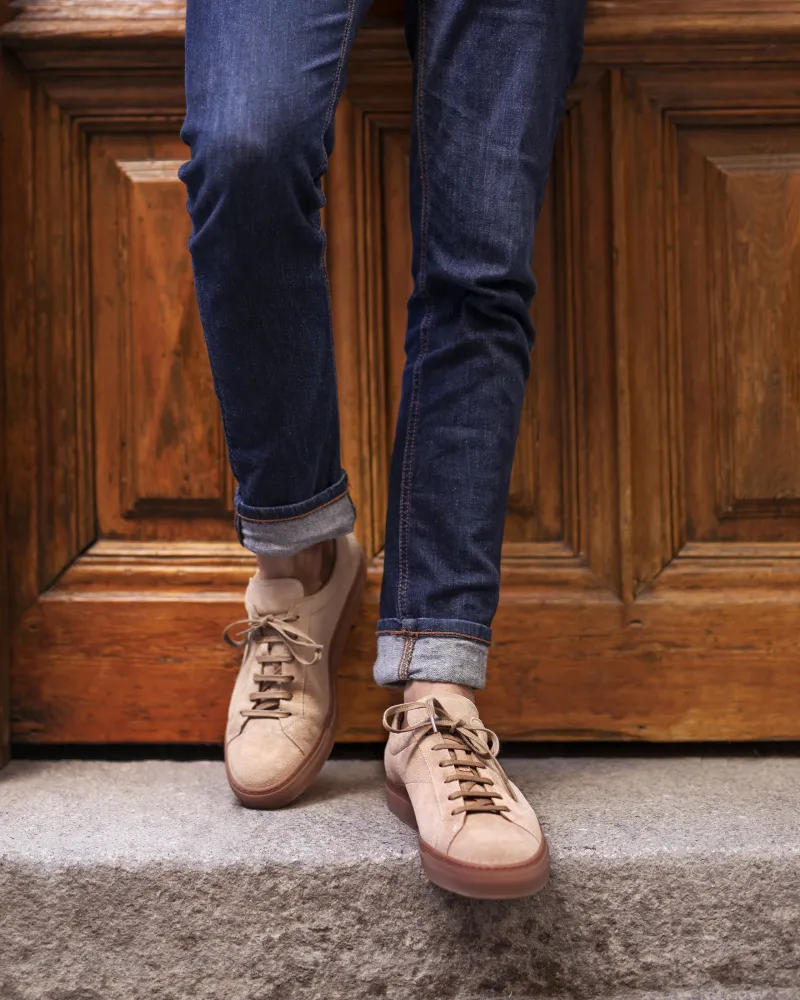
(673, 879)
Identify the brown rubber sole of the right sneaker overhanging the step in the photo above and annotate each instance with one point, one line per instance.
(475, 881)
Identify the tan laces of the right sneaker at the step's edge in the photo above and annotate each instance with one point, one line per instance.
(458, 736)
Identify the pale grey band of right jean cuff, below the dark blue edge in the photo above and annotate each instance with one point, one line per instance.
(445, 660)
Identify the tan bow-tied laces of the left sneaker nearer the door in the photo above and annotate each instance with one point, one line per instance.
(289, 642)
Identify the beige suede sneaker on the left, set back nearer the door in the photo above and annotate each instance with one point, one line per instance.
(282, 716)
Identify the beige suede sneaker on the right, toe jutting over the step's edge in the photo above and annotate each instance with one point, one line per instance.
(477, 834)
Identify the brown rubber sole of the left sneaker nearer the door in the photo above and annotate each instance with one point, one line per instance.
(286, 792)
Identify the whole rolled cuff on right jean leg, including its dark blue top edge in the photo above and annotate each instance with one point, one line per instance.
(431, 649)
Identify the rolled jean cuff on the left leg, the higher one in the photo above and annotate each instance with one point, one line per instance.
(287, 530)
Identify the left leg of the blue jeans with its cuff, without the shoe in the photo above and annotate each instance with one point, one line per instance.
(262, 82)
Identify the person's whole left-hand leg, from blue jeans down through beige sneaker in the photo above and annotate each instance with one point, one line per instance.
(262, 81)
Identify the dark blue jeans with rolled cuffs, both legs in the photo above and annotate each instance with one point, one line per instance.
(263, 79)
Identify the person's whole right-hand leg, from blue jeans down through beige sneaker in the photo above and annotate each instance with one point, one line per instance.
(491, 80)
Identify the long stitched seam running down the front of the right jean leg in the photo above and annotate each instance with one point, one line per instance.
(404, 518)
